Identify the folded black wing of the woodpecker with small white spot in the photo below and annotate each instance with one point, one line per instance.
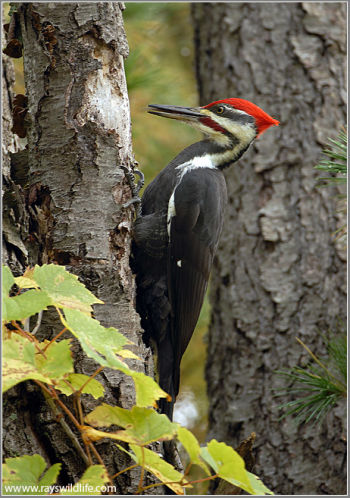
(194, 232)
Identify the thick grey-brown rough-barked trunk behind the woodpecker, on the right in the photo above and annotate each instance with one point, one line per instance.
(278, 273)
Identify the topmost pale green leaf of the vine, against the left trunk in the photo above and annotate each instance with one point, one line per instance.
(64, 288)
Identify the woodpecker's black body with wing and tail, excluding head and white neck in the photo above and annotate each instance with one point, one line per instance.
(173, 268)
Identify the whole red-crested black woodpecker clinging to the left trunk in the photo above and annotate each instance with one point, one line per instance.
(177, 234)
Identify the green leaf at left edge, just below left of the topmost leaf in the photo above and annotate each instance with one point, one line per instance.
(27, 304)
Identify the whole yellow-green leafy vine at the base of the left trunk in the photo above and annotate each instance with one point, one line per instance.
(50, 365)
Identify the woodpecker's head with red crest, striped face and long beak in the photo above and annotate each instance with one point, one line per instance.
(223, 121)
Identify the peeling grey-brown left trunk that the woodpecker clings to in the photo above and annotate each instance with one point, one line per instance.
(63, 204)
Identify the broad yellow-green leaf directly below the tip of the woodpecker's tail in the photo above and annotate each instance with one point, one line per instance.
(142, 425)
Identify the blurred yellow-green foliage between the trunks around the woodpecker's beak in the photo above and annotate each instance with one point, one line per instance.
(159, 70)
